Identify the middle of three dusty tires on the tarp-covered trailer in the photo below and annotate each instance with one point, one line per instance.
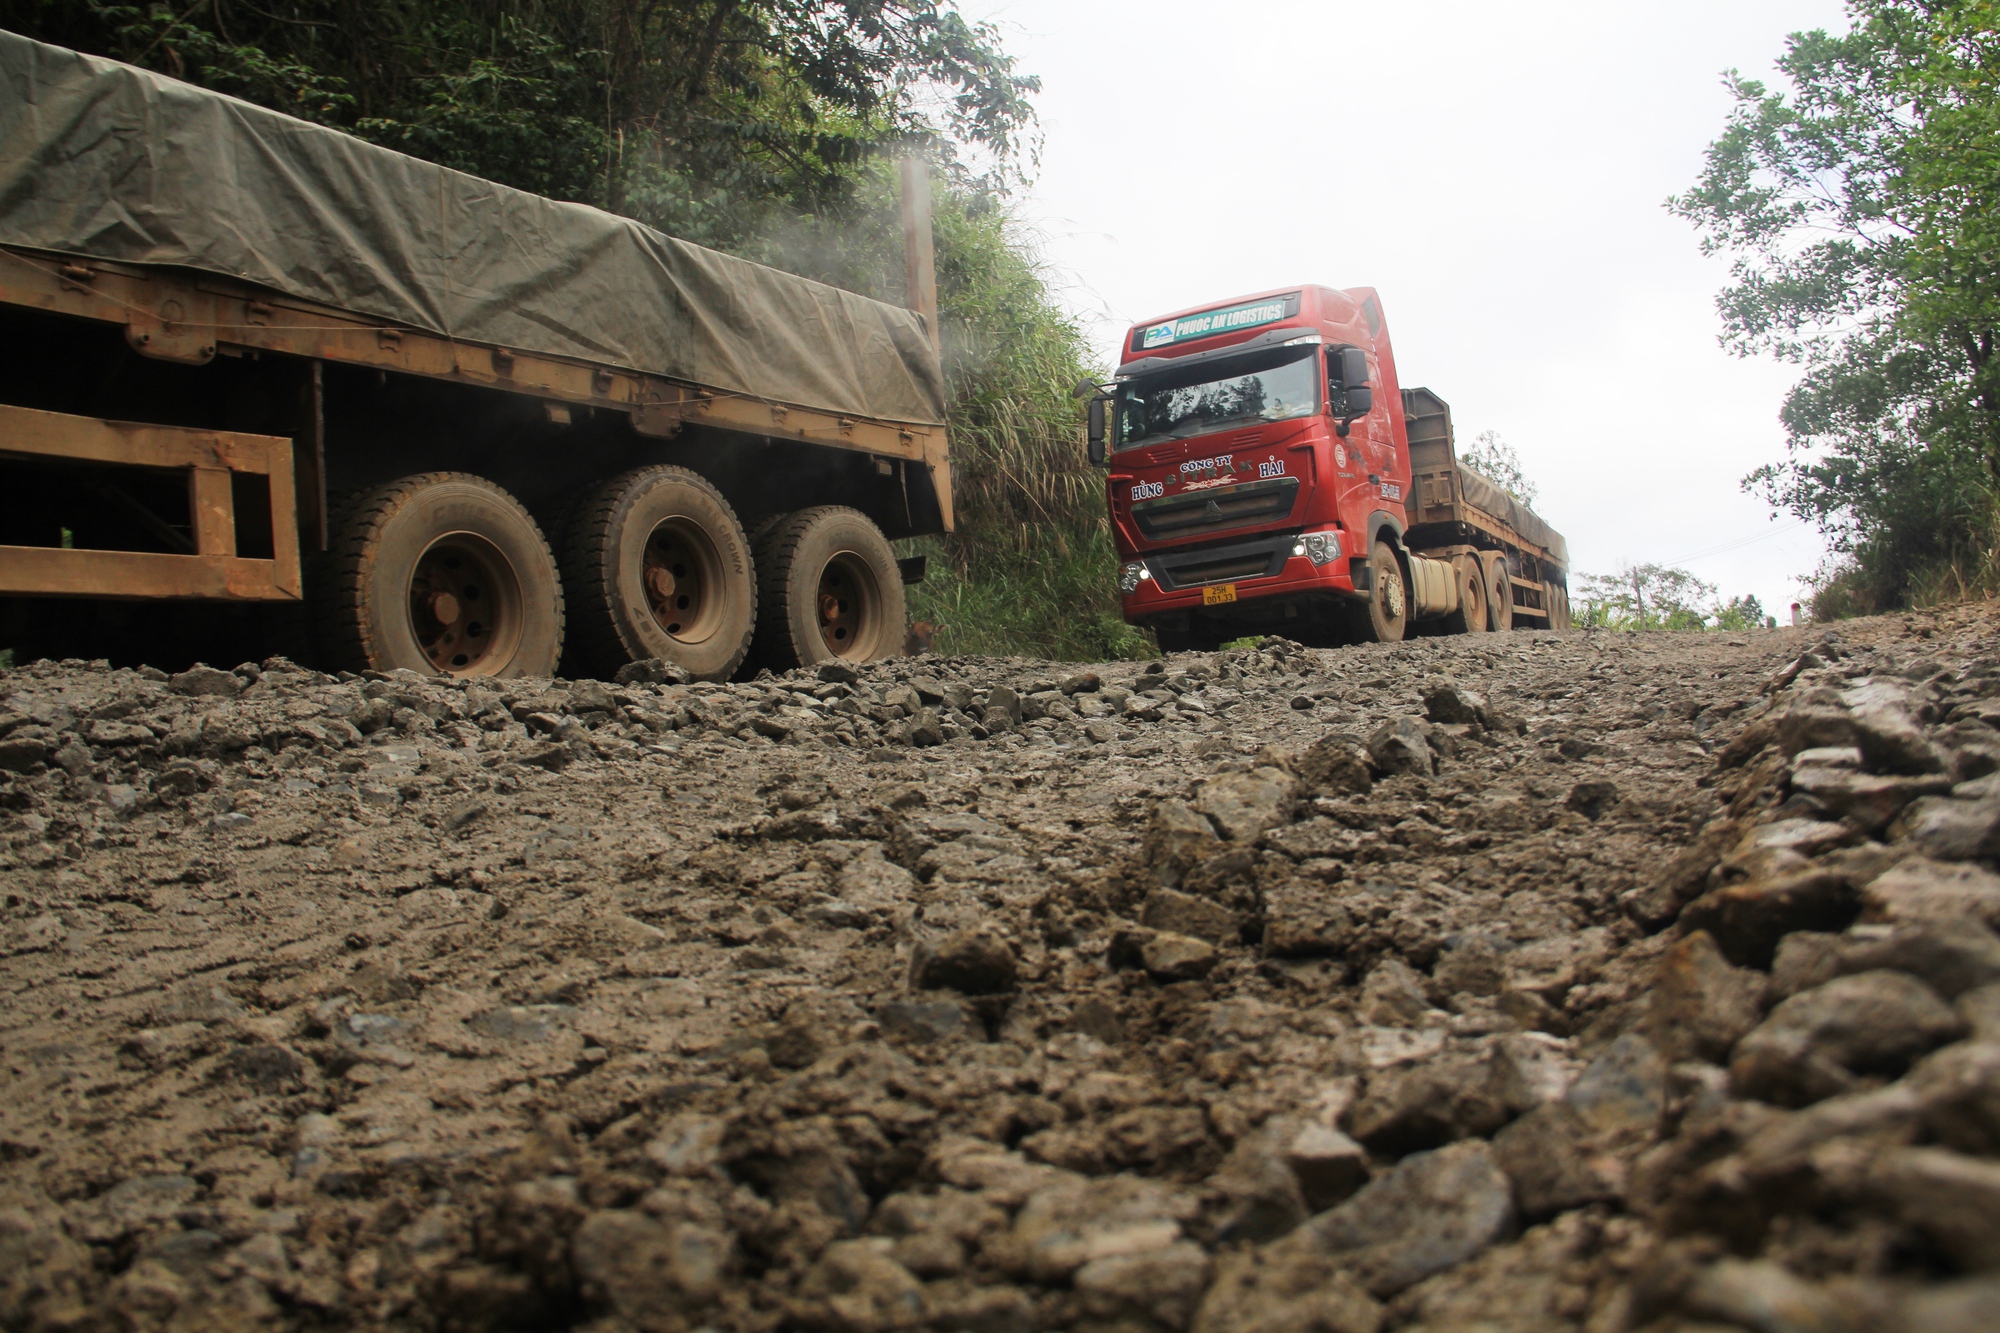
(657, 565)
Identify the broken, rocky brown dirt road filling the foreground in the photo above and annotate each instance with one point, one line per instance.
(1495, 984)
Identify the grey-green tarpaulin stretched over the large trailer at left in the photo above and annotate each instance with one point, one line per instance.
(105, 161)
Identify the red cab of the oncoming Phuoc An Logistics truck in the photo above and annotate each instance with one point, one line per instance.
(1255, 449)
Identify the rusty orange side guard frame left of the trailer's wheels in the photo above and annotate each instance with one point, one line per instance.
(209, 457)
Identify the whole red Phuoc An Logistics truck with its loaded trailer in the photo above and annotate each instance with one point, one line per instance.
(1269, 473)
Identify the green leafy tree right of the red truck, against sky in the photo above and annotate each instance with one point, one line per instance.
(1861, 211)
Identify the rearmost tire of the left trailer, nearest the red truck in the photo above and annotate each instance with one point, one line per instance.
(829, 587)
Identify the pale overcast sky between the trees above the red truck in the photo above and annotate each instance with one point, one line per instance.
(1497, 171)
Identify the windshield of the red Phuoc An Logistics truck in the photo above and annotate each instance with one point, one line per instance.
(1173, 405)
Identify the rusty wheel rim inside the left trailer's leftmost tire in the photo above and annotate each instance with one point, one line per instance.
(465, 605)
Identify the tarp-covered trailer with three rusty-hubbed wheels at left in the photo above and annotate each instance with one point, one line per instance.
(463, 429)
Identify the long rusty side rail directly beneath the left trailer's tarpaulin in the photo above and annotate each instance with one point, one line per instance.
(187, 319)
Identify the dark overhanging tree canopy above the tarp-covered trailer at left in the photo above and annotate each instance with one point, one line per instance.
(709, 119)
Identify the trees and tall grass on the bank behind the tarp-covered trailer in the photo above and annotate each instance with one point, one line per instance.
(767, 131)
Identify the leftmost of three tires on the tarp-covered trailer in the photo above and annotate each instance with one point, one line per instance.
(441, 573)
